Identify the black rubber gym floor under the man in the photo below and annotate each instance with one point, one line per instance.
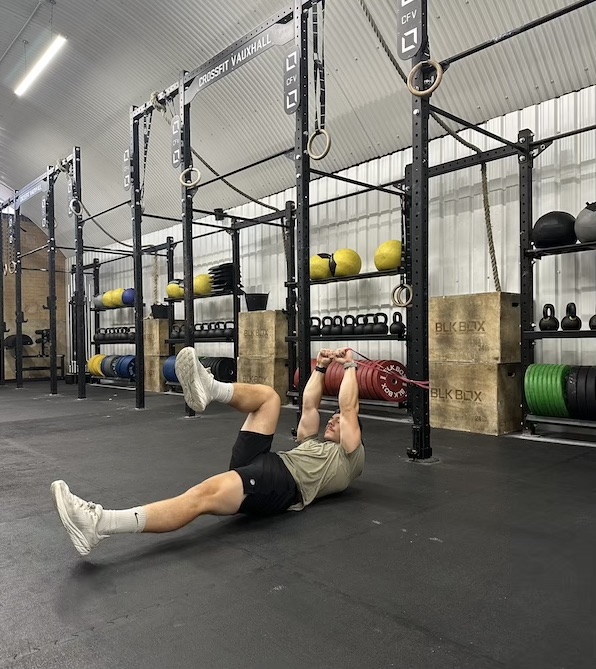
(486, 559)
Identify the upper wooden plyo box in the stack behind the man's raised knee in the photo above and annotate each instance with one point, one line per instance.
(262, 333)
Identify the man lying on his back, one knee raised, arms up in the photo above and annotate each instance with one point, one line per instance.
(259, 481)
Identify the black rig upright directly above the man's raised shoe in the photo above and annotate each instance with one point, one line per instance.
(187, 216)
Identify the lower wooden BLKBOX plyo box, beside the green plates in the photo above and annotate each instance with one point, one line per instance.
(483, 398)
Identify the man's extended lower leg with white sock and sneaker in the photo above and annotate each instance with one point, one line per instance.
(88, 523)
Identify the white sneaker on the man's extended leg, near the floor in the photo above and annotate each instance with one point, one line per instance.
(80, 518)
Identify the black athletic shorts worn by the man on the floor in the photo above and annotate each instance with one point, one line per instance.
(268, 484)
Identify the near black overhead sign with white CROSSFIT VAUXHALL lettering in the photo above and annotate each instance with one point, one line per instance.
(229, 61)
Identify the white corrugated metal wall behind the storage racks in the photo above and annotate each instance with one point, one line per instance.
(459, 260)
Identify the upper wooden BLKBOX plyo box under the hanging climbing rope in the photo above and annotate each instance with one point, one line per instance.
(475, 328)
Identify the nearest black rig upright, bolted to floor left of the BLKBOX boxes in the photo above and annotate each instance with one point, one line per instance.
(417, 354)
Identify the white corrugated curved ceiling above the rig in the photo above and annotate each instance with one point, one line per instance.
(118, 53)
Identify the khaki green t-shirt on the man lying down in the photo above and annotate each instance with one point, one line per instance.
(321, 468)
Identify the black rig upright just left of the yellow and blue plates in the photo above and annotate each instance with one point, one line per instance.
(79, 296)
